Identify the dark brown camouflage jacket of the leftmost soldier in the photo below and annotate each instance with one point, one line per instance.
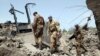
(38, 25)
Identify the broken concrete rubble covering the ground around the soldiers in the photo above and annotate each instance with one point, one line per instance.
(16, 46)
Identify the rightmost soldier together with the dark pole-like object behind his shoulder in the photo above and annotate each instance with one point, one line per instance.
(79, 36)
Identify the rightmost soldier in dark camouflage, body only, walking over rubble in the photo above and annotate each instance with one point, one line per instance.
(78, 35)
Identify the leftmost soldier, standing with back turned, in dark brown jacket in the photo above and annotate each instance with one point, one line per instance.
(38, 29)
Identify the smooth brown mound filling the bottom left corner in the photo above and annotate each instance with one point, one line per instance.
(10, 52)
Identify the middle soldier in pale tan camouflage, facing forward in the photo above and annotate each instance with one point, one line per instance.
(53, 30)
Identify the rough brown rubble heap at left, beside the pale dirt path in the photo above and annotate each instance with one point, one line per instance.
(10, 46)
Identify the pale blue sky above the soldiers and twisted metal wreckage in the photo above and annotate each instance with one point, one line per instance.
(66, 12)
